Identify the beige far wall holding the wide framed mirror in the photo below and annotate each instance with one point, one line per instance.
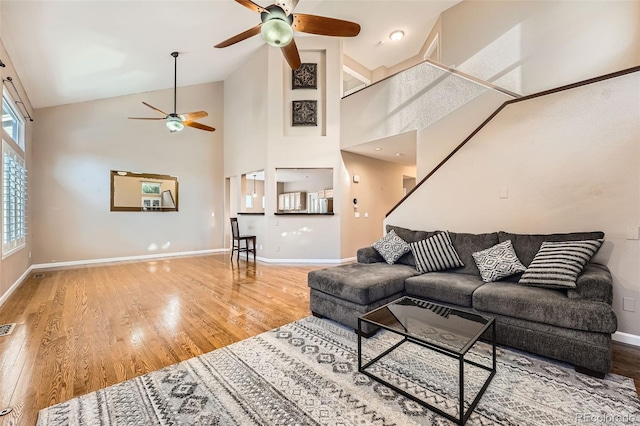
(76, 146)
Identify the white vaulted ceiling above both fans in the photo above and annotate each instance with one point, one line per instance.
(74, 51)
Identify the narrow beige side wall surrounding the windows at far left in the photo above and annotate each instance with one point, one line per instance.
(15, 265)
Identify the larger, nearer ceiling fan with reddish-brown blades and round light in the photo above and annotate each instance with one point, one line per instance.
(278, 24)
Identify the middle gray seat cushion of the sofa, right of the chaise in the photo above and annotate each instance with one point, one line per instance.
(444, 287)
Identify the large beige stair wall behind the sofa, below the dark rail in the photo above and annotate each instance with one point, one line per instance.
(567, 162)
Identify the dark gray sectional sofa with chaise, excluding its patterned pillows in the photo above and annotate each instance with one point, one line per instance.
(573, 325)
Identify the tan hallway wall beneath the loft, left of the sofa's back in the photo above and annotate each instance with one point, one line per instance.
(379, 189)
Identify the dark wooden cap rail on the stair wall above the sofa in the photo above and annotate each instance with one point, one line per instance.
(501, 107)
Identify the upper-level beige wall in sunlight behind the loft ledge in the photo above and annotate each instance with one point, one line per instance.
(531, 46)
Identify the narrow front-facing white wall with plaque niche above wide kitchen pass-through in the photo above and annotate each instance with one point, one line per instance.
(305, 237)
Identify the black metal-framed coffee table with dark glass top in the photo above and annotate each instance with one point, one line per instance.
(446, 330)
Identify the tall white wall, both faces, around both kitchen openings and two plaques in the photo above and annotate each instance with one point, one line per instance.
(259, 136)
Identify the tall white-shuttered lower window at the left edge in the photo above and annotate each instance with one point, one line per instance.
(14, 219)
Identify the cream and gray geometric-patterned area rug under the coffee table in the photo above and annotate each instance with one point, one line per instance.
(305, 373)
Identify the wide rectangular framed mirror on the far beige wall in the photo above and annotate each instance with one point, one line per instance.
(143, 192)
